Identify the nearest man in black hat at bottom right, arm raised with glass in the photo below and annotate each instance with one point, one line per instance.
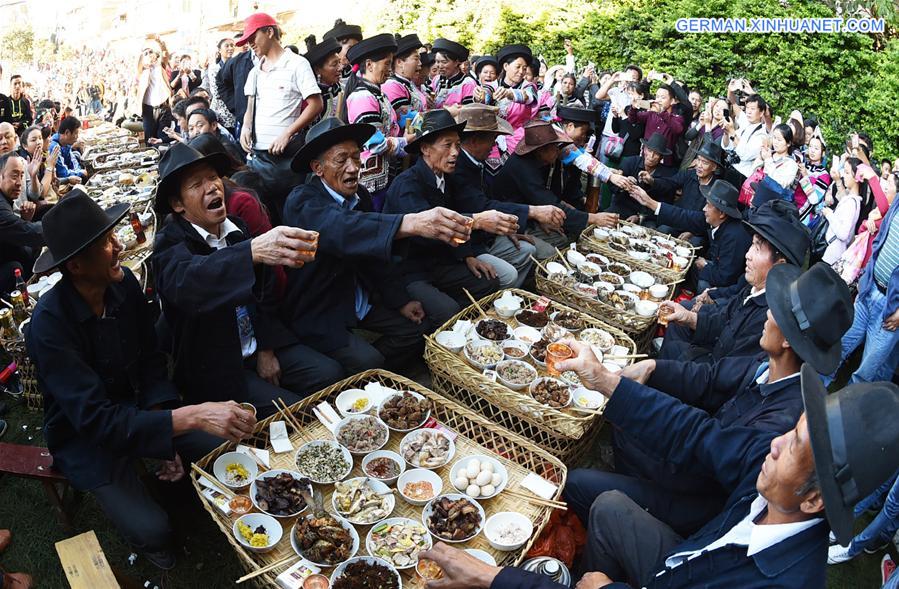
(784, 492)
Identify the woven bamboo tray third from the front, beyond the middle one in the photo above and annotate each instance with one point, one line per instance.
(633, 324)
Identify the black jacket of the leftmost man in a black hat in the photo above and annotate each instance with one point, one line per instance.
(99, 377)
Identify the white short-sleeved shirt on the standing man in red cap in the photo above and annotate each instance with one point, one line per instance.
(279, 93)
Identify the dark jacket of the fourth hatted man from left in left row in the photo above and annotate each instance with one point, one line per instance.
(415, 190)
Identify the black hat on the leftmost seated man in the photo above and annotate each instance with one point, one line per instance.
(72, 225)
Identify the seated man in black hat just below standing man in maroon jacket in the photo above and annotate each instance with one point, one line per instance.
(642, 169)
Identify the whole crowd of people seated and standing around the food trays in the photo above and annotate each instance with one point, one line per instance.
(368, 182)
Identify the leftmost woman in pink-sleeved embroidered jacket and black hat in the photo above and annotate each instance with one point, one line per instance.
(364, 102)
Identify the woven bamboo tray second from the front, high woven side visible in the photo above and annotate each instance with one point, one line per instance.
(556, 431)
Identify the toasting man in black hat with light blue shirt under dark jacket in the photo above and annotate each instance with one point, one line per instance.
(355, 280)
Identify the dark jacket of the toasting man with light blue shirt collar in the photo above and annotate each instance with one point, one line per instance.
(354, 246)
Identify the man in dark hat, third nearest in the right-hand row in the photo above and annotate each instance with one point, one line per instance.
(727, 321)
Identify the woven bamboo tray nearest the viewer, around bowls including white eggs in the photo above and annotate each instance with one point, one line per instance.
(476, 435)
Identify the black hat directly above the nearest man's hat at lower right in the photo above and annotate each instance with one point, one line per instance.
(812, 309)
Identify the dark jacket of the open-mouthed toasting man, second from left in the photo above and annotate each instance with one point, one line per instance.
(200, 289)
